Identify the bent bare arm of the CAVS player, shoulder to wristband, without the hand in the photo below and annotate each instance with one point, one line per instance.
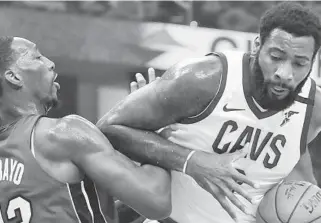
(183, 91)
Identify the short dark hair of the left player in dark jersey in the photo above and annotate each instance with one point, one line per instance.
(7, 57)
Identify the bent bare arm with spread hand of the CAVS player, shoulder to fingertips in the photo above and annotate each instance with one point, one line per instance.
(183, 91)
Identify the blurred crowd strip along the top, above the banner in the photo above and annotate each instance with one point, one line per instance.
(230, 15)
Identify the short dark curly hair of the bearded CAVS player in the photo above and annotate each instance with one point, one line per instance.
(293, 18)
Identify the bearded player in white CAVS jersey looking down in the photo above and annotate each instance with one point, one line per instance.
(221, 102)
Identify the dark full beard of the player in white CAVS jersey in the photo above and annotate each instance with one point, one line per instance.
(261, 90)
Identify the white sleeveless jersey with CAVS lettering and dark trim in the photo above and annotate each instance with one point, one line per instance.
(275, 139)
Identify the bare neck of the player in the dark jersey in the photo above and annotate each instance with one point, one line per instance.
(12, 109)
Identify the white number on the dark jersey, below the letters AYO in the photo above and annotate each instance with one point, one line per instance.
(18, 205)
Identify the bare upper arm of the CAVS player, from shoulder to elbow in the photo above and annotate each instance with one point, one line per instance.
(184, 90)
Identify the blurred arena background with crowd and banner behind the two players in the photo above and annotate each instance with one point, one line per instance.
(98, 46)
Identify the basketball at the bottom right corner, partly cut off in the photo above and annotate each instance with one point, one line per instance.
(291, 202)
